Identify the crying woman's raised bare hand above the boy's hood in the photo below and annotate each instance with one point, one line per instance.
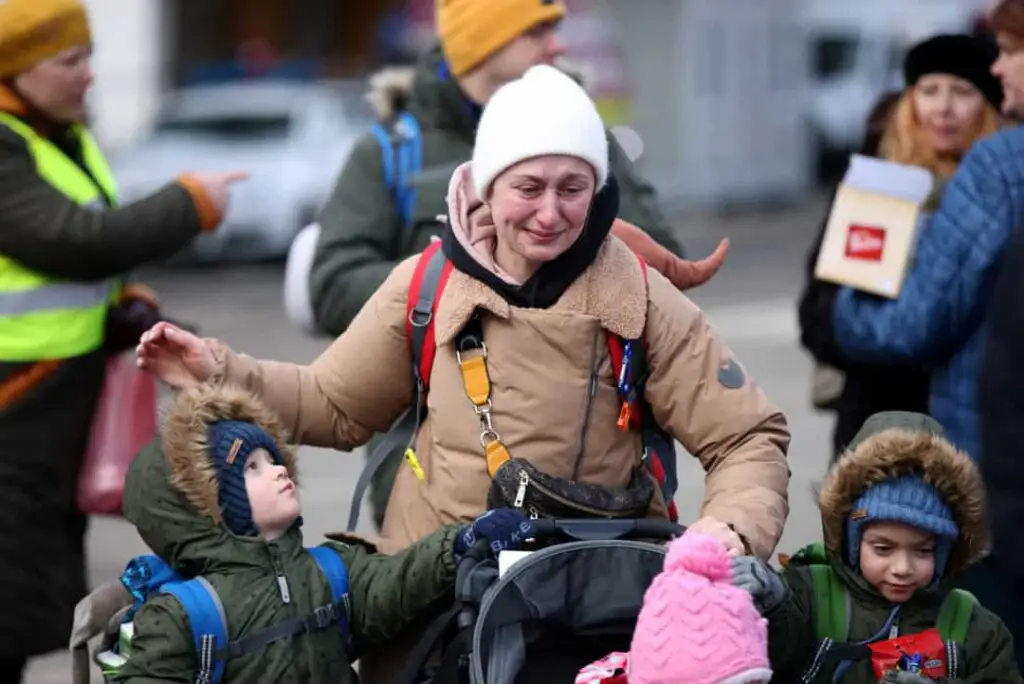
(178, 358)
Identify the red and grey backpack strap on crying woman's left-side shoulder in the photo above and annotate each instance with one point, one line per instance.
(430, 279)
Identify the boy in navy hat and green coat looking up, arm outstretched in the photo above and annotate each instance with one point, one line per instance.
(218, 499)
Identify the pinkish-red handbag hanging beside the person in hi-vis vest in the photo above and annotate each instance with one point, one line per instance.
(125, 421)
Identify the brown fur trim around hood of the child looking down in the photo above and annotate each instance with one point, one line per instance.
(898, 452)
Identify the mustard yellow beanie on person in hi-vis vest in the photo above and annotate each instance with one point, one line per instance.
(35, 30)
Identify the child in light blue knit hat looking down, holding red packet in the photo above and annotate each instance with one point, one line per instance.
(903, 512)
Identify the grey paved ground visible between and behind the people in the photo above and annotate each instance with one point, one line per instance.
(751, 303)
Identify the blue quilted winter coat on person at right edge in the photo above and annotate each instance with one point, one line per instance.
(938, 320)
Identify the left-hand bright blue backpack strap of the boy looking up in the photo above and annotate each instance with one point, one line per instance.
(209, 625)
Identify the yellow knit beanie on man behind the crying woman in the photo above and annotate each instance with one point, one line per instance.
(472, 31)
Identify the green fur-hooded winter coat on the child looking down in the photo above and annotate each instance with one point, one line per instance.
(886, 449)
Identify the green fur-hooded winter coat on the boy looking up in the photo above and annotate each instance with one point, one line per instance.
(172, 498)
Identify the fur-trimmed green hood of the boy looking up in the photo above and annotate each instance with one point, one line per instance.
(172, 491)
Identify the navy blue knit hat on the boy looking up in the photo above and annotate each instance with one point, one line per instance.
(230, 444)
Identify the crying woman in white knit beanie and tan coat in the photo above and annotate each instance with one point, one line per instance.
(551, 354)
